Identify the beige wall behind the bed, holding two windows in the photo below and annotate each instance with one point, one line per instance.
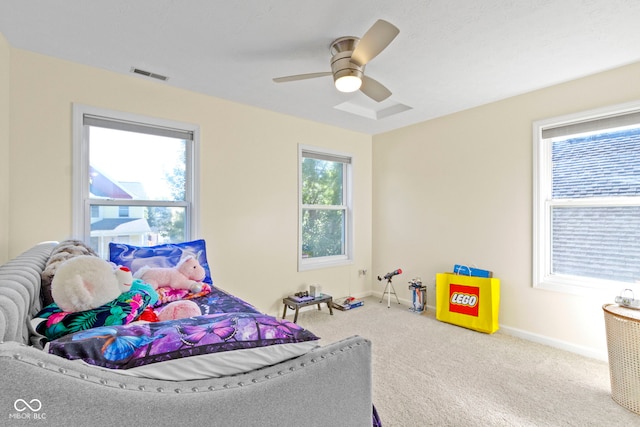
(248, 174)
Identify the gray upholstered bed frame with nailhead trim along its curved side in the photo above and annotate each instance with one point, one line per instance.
(330, 386)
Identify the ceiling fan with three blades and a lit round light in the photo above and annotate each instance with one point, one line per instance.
(349, 55)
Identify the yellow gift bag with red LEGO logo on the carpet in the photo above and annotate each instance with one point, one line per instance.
(468, 301)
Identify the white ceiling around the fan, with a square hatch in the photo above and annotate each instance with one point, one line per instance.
(450, 55)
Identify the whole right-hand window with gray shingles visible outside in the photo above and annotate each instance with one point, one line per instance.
(587, 200)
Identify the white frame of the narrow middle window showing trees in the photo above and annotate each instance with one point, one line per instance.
(305, 264)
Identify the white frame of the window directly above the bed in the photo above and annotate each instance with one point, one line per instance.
(81, 201)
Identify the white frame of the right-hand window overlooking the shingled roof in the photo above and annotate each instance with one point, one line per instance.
(543, 204)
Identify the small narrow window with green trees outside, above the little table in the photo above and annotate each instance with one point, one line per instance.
(325, 208)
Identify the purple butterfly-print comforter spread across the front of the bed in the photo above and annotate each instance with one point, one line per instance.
(227, 323)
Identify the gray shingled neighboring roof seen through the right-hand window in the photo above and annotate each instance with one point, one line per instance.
(596, 241)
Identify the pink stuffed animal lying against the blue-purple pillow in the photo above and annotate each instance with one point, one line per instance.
(188, 274)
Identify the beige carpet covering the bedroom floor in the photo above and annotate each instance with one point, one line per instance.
(429, 373)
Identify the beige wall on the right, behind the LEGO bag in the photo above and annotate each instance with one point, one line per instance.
(458, 189)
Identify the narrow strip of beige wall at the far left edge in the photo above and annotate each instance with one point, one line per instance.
(4, 147)
